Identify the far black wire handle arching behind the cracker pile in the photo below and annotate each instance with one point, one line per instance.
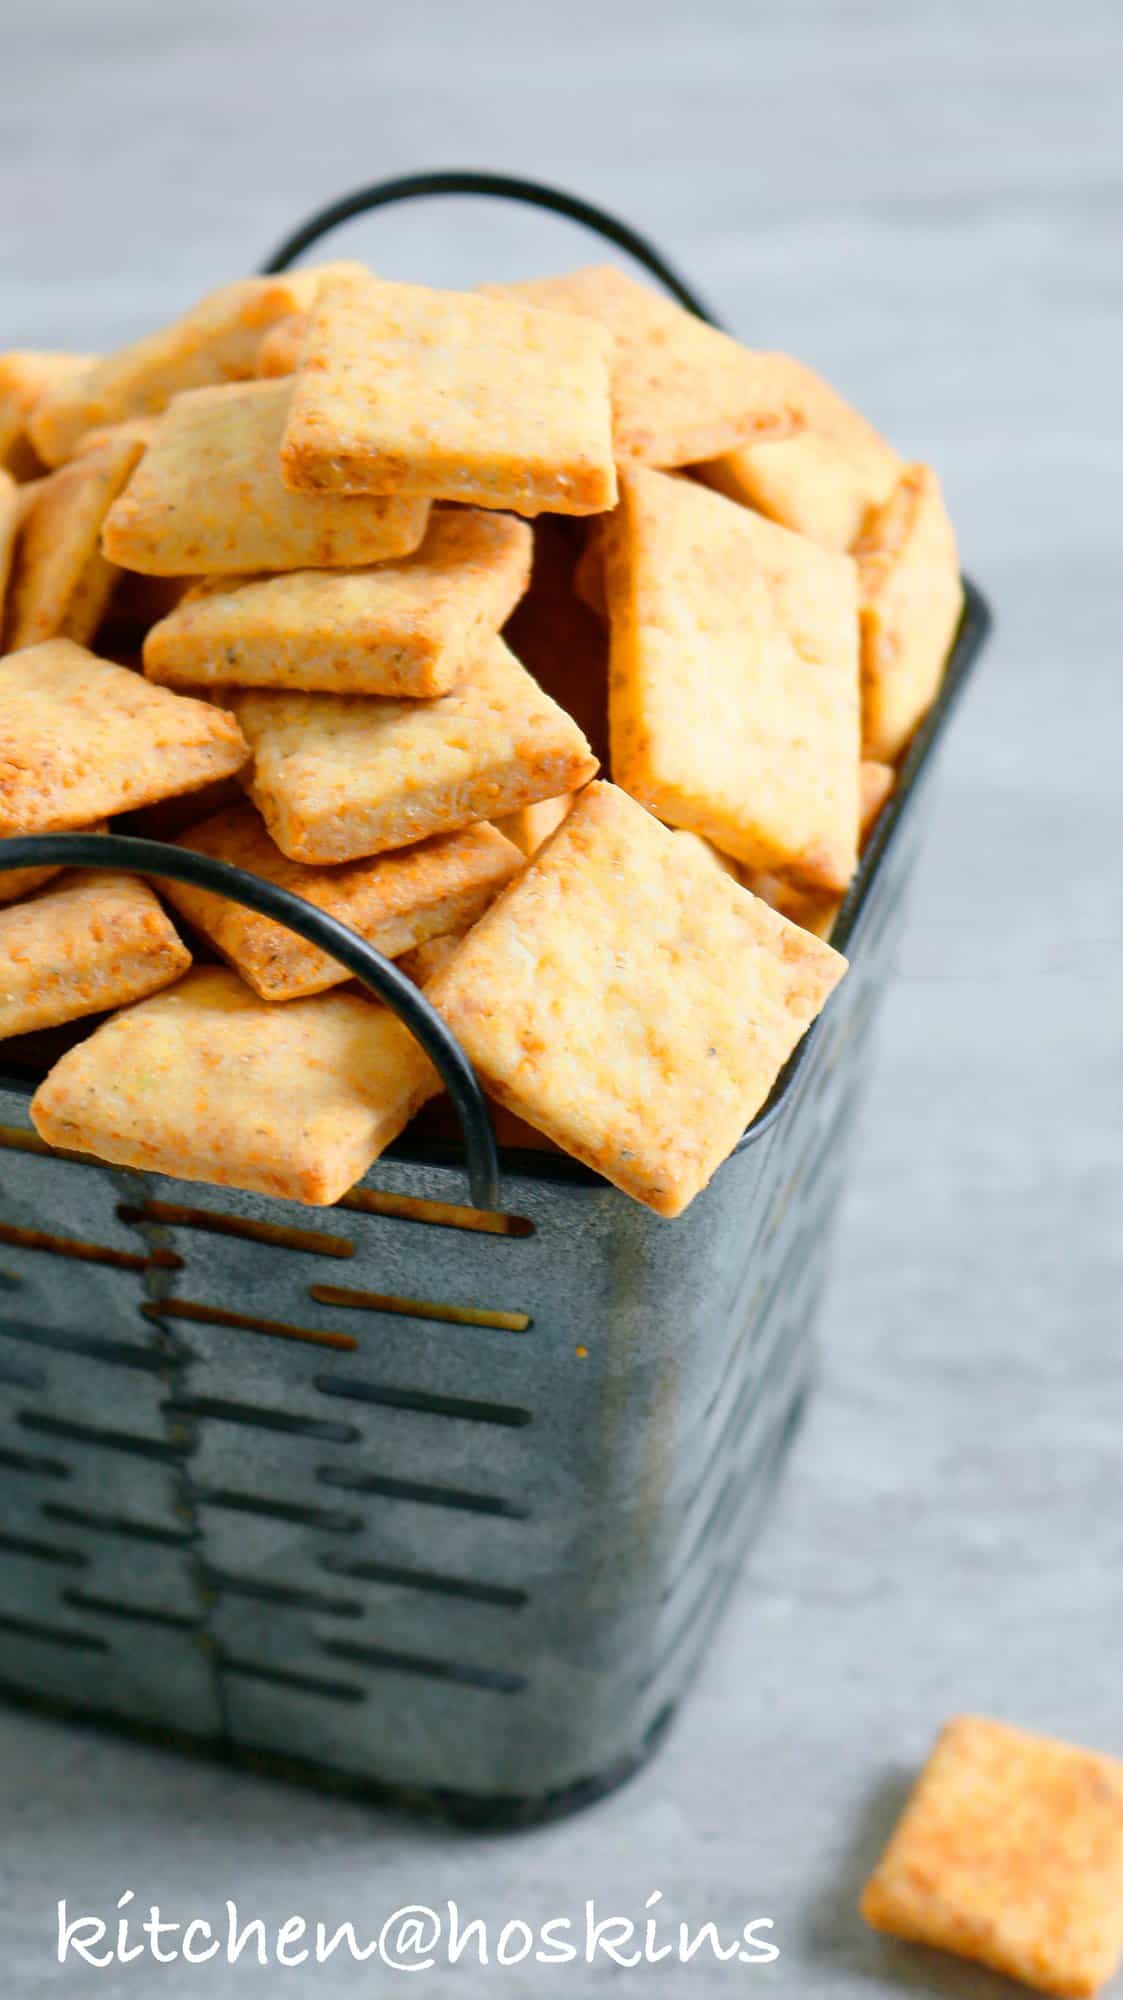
(507, 187)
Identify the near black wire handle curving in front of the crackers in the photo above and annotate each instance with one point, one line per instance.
(345, 945)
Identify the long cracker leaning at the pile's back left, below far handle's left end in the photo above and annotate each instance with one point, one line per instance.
(217, 341)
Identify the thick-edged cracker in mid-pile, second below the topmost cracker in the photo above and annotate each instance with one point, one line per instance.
(409, 627)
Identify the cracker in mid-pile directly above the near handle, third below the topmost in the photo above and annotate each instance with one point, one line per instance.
(339, 777)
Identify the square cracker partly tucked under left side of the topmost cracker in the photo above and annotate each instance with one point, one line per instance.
(209, 499)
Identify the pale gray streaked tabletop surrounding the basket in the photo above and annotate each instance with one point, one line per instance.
(926, 203)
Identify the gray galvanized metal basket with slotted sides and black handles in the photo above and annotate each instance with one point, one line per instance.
(433, 1499)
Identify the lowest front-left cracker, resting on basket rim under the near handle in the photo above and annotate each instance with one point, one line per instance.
(211, 1083)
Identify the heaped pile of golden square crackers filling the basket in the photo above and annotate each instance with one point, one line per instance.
(361, 585)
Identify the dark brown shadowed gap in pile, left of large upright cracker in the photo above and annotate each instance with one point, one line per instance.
(559, 639)
